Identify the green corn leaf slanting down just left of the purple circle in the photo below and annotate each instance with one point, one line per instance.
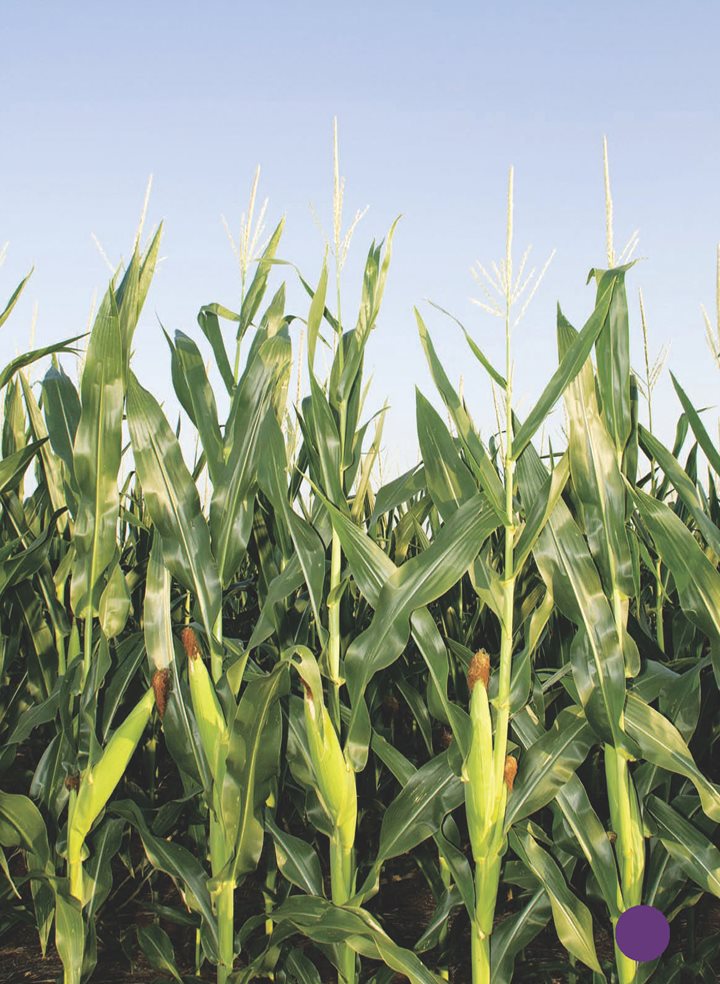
(572, 918)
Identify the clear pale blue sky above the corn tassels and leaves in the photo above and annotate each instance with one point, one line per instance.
(434, 102)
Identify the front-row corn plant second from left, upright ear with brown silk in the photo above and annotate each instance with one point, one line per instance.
(205, 558)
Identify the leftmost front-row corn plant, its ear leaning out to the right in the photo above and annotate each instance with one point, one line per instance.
(85, 459)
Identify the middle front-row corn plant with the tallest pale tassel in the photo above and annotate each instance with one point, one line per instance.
(332, 447)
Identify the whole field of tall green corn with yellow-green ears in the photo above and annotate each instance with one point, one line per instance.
(247, 691)
